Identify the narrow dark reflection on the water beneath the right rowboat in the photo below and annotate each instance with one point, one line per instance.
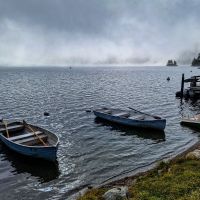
(142, 133)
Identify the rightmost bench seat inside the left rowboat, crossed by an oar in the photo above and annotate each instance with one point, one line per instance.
(31, 141)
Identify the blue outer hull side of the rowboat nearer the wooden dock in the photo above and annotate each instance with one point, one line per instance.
(158, 124)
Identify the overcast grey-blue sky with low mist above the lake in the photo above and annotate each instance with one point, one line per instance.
(73, 32)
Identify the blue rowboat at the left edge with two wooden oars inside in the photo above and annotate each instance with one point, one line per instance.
(29, 140)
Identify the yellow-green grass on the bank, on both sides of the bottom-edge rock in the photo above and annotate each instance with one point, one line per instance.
(178, 179)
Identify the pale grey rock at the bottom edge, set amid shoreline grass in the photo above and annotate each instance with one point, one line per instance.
(118, 193)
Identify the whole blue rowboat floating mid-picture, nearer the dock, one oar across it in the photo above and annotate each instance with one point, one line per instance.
(131, 118)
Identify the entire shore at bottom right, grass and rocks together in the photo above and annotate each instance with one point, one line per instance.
(174, 178)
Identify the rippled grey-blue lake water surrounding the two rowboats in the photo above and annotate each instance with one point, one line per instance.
(90, 151)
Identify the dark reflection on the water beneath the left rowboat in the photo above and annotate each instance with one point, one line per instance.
(44, 170)
